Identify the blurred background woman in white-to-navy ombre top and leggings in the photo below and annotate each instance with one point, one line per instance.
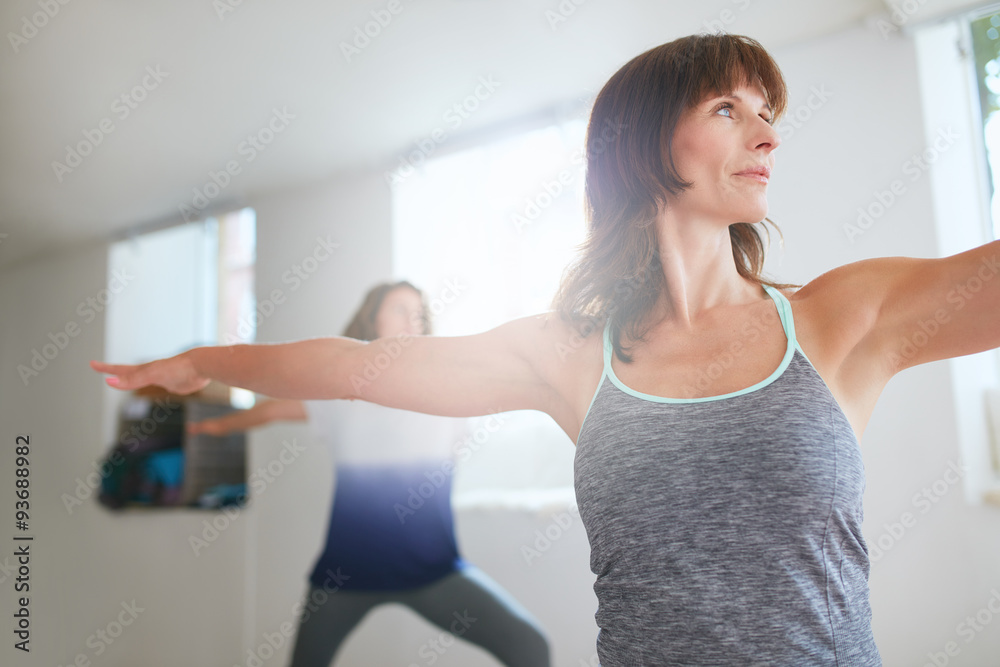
(391, 535)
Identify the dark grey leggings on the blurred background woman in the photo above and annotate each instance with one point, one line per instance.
(467, 604)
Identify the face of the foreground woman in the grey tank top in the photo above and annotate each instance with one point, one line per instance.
(715, 143)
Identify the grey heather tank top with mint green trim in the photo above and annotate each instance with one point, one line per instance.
(726, 530)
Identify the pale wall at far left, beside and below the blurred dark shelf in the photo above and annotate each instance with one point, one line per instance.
(85, 561)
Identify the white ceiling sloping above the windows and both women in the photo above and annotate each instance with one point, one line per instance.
(226, 72)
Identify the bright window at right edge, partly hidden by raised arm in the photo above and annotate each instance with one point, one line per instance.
(958, 96)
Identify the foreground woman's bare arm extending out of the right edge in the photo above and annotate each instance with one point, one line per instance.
(903, 311)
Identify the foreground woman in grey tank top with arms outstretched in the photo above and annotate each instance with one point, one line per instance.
(716, 413)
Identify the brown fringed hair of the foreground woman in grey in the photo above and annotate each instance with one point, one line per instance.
(630, 173)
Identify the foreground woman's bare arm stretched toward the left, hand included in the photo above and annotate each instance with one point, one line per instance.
(511, 367)
